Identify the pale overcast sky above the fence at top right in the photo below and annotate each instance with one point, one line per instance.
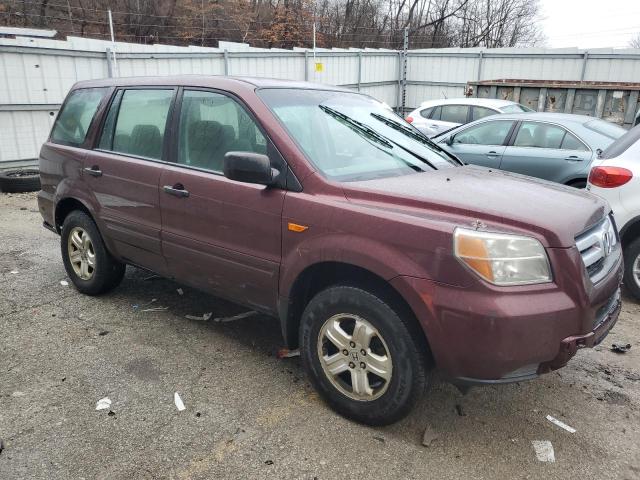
(590, 23)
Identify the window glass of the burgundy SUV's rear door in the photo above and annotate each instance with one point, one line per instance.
(136, 123)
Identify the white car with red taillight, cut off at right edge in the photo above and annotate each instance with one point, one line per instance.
(615, 176)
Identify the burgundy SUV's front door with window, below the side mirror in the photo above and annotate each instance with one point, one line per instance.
(217, 234)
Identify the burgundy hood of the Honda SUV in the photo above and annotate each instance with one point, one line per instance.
(468, 195)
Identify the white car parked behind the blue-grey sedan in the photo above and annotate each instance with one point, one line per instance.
(436, 116)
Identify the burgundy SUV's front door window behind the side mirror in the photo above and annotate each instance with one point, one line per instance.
(211, 125)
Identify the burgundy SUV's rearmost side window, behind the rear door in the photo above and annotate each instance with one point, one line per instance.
(73, 122)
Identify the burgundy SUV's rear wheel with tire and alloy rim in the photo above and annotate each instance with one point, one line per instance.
(106, 272)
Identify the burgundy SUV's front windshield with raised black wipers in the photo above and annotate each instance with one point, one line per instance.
(352, 137)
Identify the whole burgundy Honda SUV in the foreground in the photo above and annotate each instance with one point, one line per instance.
(383, 257)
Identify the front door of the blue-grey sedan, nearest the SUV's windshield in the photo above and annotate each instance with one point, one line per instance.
(480, 144)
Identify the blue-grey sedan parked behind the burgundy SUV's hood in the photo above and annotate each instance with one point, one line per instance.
(552, 146)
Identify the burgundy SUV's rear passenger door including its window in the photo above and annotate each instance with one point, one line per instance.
(123, 173)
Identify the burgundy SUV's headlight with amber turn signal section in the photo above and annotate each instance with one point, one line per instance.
(501, 258)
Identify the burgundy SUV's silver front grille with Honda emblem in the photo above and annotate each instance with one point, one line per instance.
(595, 245)
